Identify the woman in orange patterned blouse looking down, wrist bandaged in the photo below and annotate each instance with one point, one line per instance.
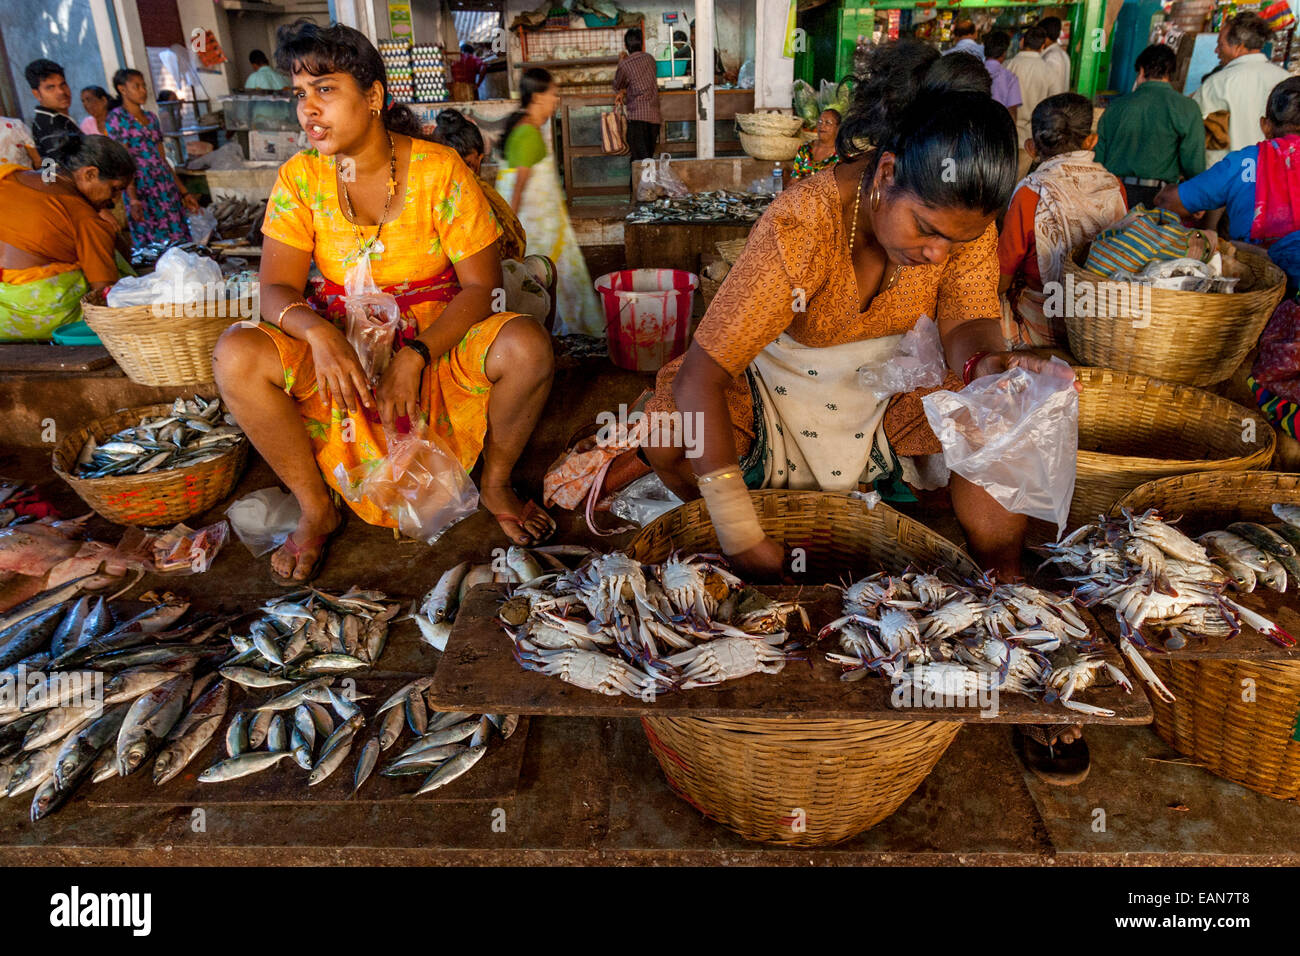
(840, 266)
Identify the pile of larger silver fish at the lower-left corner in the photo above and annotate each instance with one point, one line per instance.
(92, 691)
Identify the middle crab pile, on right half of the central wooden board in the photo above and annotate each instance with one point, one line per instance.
(967, 639)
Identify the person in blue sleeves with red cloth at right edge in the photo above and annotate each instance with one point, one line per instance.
(1260, 187)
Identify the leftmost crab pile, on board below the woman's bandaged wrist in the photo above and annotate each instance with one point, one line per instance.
(617, 626)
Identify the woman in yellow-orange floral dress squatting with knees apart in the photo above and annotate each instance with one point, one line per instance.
(370, 188)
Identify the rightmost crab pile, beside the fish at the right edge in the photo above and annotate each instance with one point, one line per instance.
(1159, 581)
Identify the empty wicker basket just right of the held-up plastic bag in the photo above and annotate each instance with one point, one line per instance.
(1136, 430)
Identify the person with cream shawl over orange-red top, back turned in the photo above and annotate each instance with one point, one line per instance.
(1065, 202)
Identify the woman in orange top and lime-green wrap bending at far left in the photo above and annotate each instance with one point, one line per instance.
(57, 240)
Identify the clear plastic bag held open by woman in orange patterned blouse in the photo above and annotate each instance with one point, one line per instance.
(1015, 435)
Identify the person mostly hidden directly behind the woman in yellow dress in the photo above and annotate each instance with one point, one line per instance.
(530, 280)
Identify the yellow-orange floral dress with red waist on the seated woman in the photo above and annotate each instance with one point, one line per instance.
(444, 219)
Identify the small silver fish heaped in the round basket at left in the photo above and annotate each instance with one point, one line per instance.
(196, 431)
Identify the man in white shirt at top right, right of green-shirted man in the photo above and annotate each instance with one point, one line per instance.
(1243, 85)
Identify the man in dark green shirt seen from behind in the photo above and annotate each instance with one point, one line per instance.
(1155, 135)
